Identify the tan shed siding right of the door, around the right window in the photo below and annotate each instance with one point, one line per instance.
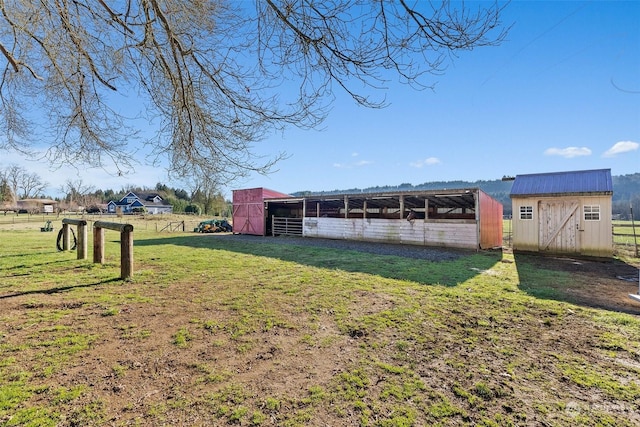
(596, 236)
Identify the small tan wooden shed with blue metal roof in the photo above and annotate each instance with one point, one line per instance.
(563, 213)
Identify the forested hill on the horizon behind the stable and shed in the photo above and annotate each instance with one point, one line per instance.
(626, 190)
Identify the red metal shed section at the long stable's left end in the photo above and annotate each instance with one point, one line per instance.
(249, 210)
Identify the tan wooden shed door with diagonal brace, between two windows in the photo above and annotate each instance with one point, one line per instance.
(559, 224)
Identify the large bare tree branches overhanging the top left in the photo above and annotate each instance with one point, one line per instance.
(213, 76)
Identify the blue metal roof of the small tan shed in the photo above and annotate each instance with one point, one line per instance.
(589, 181)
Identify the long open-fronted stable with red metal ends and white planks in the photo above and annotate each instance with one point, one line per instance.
(460, 218)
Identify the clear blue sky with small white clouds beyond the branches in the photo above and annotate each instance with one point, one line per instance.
(562, 92)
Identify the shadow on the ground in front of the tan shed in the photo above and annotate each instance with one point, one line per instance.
(594, 283)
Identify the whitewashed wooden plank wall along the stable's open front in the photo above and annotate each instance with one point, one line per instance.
(443, 233)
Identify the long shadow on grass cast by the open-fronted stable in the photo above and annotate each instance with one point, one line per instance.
(426, 265)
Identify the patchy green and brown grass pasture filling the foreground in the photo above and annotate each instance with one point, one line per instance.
(214, 329)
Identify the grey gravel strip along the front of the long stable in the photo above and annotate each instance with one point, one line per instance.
(406, 251)
